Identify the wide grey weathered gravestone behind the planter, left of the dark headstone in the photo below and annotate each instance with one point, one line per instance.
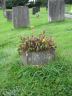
(20, 16)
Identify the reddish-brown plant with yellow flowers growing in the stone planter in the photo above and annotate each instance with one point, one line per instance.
(36, 43)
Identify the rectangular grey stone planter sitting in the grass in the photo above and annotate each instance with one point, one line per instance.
(37, 58)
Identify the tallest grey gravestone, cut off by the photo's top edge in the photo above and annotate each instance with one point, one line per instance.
(56, 10)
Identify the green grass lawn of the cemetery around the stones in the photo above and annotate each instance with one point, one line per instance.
(53, 79)
